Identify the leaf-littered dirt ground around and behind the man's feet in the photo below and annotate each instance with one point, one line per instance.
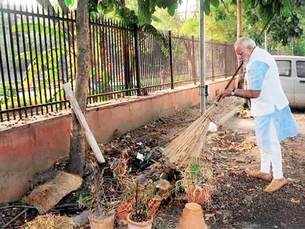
(239, 201)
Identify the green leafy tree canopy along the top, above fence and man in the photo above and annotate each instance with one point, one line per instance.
(282, 18)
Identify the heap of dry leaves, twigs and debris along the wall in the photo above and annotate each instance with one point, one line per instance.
(131, 186)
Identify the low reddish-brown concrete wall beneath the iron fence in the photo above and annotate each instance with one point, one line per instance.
(34, 147)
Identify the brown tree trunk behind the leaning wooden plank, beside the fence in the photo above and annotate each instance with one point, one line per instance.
(78, 143)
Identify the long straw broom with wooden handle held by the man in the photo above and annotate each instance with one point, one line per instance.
(190, 142)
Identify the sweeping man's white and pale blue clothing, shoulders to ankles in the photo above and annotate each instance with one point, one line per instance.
(273, 119)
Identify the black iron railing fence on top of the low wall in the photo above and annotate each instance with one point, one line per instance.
(38, 53)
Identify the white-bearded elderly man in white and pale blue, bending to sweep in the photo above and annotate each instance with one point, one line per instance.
(269, 107)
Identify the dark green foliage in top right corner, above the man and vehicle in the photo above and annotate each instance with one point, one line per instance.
(260, 13)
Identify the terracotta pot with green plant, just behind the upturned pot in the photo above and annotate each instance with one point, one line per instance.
(196, 194)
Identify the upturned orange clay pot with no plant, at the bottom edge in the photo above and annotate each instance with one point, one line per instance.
(192, 217)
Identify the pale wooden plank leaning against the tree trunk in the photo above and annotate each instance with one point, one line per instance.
(81, 118)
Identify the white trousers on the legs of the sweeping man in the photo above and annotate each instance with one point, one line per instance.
(271, 159)
